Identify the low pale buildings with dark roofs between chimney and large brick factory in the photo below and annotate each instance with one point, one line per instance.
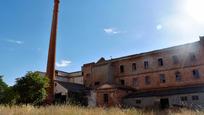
(68, 86)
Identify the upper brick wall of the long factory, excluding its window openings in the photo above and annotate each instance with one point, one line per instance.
(94, 72)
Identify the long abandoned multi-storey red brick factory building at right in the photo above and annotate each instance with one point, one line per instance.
(168, 77)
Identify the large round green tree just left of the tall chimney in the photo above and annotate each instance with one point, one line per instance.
(31, 88)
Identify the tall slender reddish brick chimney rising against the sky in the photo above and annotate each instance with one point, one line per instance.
(50, 73)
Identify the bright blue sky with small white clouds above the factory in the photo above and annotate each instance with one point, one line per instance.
(91, 29)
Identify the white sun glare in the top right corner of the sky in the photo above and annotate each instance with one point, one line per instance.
(195, 9)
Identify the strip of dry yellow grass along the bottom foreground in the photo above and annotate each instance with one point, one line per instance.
(76, 110)
